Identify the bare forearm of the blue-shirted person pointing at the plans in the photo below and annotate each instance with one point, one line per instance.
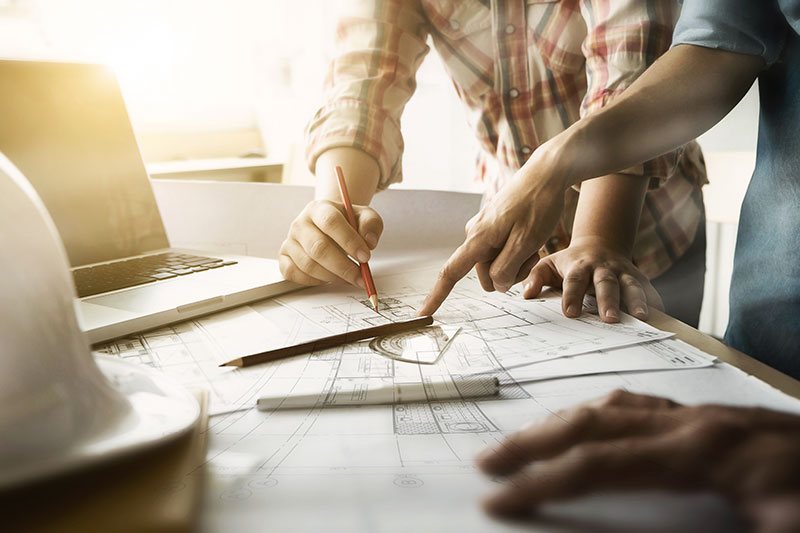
(688, 90)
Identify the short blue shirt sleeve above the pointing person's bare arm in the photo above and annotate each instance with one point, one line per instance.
(752, 27)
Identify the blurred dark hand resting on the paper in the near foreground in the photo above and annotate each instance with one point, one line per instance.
(630, 441)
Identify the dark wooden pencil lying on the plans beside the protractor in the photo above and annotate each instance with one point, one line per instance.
(331, 341)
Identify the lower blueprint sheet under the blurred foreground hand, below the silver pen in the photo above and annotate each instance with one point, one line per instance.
(401, 468)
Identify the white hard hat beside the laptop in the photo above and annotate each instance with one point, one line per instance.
(60, 406)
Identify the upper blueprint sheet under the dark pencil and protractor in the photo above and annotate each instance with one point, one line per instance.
(495, 332)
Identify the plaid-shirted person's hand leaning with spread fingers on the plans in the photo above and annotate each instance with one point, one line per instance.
(587, 265)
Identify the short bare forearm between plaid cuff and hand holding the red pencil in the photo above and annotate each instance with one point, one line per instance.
(360, 170)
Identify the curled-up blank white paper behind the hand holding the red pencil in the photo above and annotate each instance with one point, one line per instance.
(253, 218)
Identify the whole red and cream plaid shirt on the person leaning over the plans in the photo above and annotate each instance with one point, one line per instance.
(526, 71)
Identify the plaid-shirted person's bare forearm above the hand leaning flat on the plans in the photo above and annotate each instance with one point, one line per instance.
(608, 211)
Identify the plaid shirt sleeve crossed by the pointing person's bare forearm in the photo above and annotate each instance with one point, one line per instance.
(623, 39)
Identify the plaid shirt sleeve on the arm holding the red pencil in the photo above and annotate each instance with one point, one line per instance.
(379, 47)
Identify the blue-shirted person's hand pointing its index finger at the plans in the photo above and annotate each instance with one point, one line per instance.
(504, 238)
